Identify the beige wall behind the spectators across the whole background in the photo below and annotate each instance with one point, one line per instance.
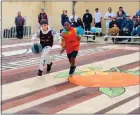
(54, 10)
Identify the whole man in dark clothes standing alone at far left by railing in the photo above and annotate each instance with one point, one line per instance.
(19, 22)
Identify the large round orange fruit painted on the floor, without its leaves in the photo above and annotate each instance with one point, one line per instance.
(104, 79)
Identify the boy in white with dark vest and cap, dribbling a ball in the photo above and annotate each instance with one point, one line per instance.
(47, 37)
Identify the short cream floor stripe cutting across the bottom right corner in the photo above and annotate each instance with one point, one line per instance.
(127, 107)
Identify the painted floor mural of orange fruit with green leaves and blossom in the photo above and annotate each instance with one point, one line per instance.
(111, 82)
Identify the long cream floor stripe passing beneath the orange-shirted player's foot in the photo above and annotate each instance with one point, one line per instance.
(37, 83)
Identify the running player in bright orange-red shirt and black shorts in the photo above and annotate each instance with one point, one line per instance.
(71, 43)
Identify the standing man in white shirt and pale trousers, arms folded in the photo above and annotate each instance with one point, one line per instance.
(108, 17)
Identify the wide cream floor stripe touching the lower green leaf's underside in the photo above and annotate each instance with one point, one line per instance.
(100, 102)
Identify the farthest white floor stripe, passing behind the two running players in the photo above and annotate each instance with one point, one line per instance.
(17, 52)
